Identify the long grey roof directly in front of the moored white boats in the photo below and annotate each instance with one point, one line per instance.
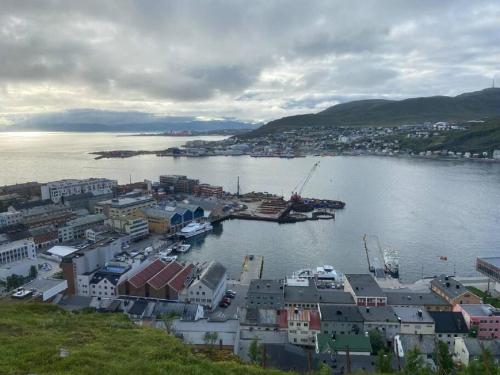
(311, 294)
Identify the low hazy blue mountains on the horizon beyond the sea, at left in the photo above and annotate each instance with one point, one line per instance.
(89, 120)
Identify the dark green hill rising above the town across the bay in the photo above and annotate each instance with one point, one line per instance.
(379, 112)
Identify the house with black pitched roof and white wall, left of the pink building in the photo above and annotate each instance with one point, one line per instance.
(448, 326)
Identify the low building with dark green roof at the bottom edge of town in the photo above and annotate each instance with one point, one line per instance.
(343, 344)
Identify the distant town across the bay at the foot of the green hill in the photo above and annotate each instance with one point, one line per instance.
(327, 141)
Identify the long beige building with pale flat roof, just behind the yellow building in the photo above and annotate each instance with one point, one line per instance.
(124, 206)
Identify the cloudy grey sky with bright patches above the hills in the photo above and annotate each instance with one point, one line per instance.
(248, 60)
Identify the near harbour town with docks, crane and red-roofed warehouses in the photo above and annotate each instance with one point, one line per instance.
(96, 245)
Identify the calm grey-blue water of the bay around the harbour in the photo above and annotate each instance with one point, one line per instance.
(423, 208)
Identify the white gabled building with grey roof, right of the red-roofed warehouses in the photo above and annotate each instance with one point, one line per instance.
(207, 287)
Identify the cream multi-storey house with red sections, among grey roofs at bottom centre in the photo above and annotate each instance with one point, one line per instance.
(303, 325)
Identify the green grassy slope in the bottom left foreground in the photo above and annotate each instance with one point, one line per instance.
(32, 334)
